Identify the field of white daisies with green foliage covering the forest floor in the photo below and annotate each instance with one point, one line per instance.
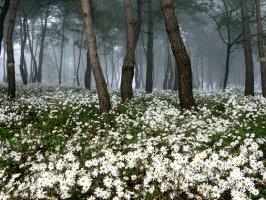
(54, 145)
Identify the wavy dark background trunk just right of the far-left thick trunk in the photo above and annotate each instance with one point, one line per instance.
(23, 64)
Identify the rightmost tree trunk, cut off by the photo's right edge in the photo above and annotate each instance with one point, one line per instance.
(260, 48)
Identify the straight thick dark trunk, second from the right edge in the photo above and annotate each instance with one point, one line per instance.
(249, 83)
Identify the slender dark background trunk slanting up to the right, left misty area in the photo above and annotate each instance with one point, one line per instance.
(43, 35)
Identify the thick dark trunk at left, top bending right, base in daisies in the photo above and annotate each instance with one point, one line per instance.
(10, 51)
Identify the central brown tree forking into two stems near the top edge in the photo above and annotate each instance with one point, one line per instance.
(129, 60)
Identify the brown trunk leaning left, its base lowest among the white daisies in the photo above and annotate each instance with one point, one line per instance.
(104, 99)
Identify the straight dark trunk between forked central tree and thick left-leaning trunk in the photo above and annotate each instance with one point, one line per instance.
(149, 75)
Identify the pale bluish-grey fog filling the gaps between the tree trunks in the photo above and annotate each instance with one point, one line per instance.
(65, 45)
